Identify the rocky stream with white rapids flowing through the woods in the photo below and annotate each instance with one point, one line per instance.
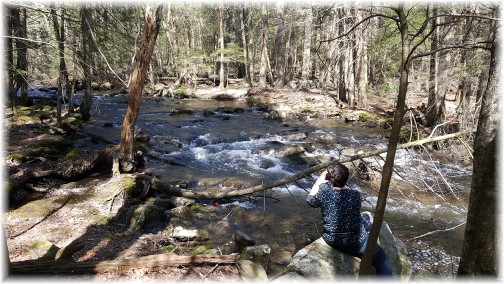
(230, 145)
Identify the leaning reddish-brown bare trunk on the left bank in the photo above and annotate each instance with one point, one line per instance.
(140, 66)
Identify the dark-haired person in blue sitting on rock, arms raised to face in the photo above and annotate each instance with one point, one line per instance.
(344, 227)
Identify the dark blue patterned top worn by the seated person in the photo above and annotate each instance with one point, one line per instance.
(343, 227)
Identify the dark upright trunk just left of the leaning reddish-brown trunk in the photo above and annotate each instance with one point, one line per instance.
(86, 58)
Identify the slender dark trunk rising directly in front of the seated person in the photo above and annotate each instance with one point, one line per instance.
(365, 267)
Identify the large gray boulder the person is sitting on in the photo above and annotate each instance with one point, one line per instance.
(319, 261)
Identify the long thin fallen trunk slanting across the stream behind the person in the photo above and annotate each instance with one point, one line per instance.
(193, 194)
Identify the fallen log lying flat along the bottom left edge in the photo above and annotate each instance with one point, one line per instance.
(58, 267)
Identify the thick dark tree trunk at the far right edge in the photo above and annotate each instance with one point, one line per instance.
(480, 248)
